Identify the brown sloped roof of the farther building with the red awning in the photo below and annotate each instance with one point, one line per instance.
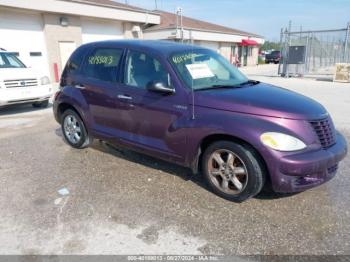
(168, 21)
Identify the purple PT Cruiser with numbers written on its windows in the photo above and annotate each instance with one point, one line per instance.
(188, 105)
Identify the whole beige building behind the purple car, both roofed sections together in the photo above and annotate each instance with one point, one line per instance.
(44, 33)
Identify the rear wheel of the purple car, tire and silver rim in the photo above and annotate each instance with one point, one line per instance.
(74, 130)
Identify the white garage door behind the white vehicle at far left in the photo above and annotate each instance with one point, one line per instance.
(23, 33)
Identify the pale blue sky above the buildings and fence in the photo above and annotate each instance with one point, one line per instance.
(263, 17)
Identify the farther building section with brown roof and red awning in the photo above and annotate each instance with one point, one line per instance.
(231, 43)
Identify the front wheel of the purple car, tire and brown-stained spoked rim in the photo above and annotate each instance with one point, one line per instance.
(246, 167)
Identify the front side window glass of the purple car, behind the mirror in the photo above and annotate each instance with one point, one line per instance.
(142, 69)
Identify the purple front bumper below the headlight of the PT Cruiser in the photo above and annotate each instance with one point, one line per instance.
(299, 172)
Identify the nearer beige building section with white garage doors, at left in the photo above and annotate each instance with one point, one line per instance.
(45, 32)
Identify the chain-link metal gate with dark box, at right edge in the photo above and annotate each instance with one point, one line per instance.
(313, 52)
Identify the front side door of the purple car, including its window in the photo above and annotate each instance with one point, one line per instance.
(157, 118)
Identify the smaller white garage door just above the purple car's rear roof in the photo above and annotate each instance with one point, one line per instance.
(93, 30)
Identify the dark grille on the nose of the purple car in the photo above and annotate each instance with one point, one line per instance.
(325, 131)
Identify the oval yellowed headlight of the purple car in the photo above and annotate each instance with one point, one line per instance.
(281, 142)
